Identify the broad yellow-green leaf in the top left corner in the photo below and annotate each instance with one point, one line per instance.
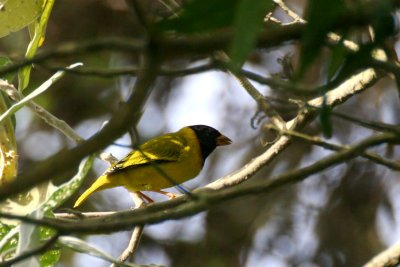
(16, 14)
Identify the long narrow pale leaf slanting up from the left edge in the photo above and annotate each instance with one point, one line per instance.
(41, 89)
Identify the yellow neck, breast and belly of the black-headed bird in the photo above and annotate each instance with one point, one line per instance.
(163, 174)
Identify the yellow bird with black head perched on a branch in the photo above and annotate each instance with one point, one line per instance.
(161, 162)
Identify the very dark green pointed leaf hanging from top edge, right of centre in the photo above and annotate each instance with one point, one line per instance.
(321, 16)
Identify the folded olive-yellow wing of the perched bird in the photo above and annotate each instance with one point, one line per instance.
(166, 148)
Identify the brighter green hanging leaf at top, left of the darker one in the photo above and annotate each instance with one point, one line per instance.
(248, 22)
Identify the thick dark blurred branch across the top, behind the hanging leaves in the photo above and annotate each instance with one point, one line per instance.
(171, 47)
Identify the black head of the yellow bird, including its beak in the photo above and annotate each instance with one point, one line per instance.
(209, 139)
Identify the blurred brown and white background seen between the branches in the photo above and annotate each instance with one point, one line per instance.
(340, 217)
